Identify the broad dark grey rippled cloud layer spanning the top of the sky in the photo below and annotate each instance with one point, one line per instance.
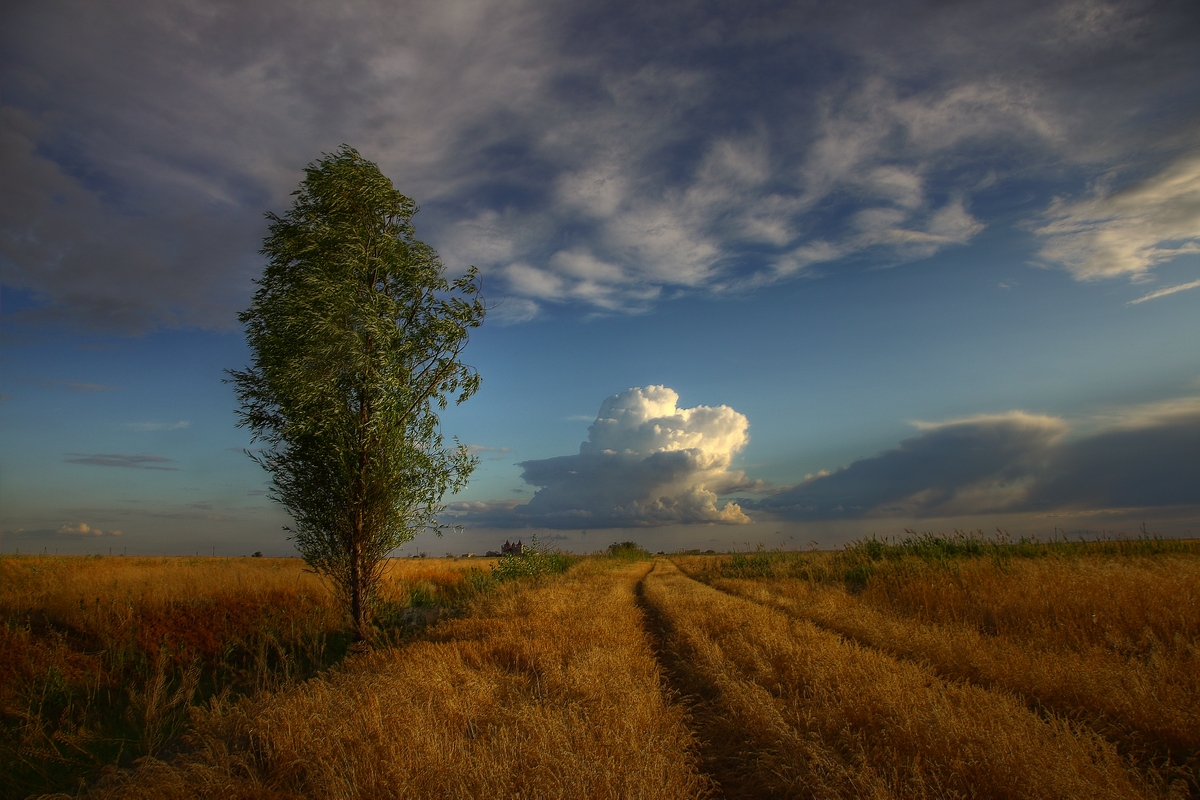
(604, 155)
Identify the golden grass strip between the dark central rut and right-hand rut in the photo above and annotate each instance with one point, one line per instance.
(799, 712)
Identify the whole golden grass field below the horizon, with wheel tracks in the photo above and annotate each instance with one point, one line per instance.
(937, 667)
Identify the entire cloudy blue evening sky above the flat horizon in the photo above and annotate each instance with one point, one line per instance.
(781, 274)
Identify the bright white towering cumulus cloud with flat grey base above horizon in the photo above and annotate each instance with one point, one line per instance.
(646, 462)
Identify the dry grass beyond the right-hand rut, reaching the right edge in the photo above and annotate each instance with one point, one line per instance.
(1112, 642)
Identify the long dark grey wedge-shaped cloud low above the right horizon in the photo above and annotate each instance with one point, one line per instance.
(1015, 462)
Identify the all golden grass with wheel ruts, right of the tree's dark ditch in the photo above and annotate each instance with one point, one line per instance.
(639, 682)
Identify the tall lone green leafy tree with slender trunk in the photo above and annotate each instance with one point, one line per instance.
(356, 339)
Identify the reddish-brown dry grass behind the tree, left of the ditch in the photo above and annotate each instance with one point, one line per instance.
(100, 658)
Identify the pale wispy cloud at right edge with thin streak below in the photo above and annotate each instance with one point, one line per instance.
(1127, 232)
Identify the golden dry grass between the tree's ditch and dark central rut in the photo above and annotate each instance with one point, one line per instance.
(545, 691)
